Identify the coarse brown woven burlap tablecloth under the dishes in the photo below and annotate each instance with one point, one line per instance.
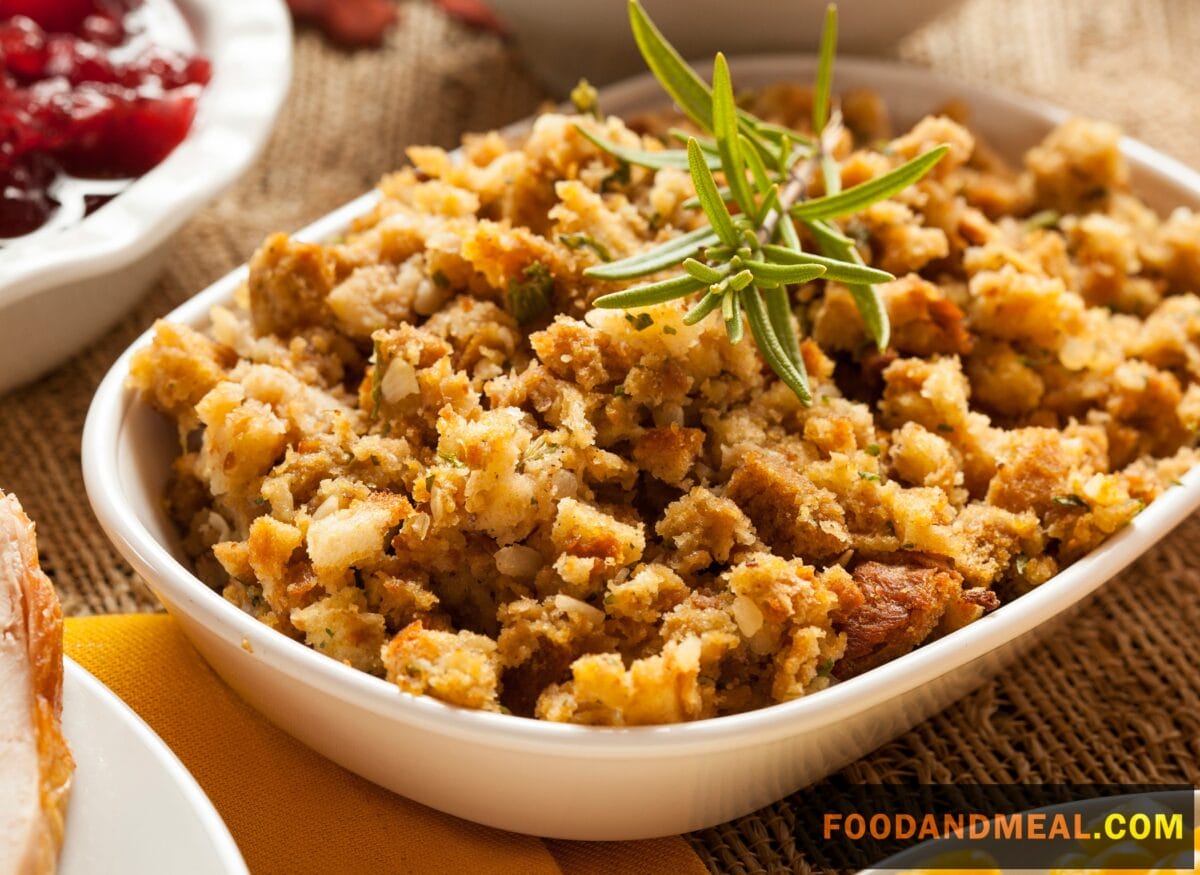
(1115, 698)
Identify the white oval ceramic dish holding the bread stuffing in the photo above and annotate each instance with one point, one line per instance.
(577, 782)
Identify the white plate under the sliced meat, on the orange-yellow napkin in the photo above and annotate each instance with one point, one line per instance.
(135, 810)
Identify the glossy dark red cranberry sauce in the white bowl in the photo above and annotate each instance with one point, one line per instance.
(94, 89)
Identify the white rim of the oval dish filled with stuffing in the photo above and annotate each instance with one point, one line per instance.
(112, 406)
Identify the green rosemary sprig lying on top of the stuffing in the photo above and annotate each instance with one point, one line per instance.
(745, 260)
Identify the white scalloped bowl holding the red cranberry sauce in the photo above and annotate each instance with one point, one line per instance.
(62, 289)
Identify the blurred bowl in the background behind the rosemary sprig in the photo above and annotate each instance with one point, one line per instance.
(563, 41)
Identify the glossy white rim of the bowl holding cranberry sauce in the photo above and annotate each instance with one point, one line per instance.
(250, 46)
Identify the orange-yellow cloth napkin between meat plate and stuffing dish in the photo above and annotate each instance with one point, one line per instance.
(292, 811)
